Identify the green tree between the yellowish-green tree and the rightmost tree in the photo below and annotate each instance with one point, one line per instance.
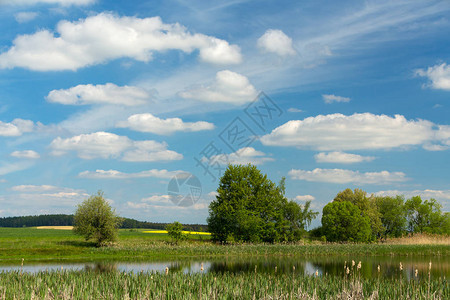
(393, 215)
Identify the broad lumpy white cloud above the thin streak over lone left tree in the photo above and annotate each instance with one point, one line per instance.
(108, 145)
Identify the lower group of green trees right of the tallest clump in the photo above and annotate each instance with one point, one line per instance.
(359, 217)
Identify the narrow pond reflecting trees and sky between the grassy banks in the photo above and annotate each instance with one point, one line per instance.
(330, 266)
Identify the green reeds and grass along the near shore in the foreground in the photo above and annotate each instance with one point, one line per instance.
(121, 285)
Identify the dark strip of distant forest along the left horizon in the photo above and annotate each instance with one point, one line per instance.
(67, 220)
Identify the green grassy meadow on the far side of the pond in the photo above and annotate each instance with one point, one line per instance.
(47, 244)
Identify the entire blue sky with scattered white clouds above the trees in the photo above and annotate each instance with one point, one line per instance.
(148, 101)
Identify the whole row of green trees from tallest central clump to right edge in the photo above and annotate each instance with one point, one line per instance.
(249, 207)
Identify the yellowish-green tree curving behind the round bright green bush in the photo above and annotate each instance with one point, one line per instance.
(367, 206)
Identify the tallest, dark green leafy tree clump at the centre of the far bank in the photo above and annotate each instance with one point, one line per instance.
(249, 207)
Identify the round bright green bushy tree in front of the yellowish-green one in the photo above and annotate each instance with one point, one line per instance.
(343, 221)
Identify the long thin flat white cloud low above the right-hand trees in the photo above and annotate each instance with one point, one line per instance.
(347, 176)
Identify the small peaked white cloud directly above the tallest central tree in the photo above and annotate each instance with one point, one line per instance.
(243, 156)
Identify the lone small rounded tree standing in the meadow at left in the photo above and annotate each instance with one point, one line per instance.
(96, 220)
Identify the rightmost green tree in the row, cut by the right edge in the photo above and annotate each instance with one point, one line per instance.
(426, 216)
